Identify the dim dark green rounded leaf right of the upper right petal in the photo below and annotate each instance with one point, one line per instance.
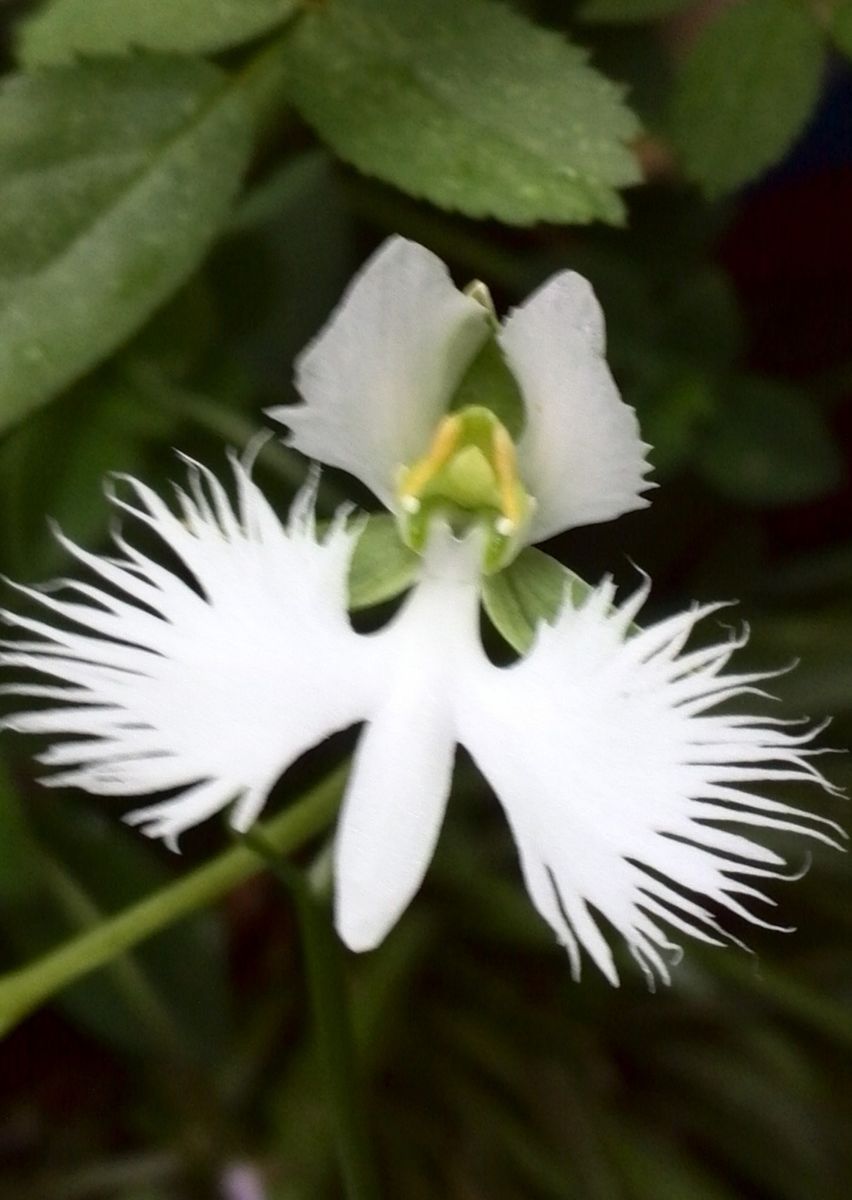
(770, 447)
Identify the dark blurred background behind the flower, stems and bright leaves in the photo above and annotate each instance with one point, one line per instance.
(490, 1073)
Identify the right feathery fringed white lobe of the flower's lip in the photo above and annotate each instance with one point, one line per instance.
(614, 788)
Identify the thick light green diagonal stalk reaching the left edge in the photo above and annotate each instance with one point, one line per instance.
(23, 991)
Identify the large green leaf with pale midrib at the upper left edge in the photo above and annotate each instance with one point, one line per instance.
(115, 178)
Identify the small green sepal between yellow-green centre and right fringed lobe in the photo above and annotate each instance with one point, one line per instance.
(533, 589)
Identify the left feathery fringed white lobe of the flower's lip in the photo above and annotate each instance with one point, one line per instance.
(211, 688)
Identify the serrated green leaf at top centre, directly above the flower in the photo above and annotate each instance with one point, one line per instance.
(466, 105)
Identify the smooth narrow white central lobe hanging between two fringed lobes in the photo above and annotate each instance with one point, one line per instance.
(401, 778)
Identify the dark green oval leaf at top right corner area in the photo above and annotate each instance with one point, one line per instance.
(747, 92)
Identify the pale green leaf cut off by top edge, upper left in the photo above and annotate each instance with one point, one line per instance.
(65, 29)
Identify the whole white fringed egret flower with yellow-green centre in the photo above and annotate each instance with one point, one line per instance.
(620, 775)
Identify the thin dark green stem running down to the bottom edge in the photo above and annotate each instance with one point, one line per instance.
(333, 1024)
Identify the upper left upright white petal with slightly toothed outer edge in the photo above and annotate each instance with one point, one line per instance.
(381, 375)
